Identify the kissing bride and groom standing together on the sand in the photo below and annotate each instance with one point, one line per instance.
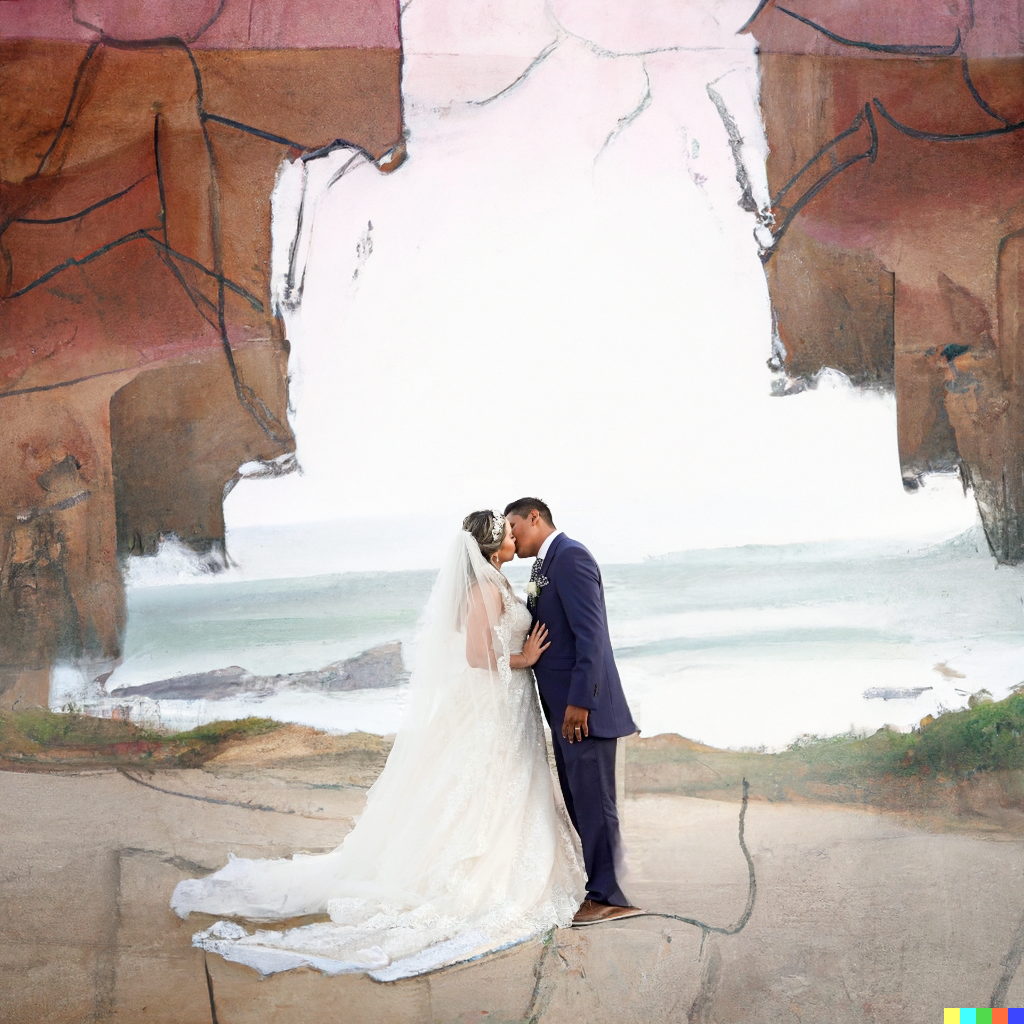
(466, 845)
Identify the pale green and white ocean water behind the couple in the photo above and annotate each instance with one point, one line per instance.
(741, 648)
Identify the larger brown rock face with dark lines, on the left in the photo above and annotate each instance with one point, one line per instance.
(142, 362)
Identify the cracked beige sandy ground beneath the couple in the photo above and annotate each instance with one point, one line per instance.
(859, 917)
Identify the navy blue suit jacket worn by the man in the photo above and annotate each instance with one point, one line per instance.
(579, 668)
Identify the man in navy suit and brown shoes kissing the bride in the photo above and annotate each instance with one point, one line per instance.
(581, 694)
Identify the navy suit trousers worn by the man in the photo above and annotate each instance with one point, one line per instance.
(587, 776)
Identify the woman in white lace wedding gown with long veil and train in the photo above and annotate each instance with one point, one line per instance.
(464, 846)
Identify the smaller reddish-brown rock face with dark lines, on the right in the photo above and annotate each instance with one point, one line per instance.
(897, 137)
